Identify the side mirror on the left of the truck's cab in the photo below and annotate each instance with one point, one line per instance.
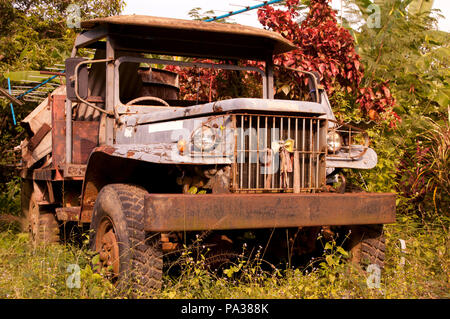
(82, 79)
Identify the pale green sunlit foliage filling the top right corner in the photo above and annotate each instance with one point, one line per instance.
(409, 53)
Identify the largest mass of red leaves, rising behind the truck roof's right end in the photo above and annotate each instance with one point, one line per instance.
(324, 46)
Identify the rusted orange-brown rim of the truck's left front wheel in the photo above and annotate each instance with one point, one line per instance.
(108, 249)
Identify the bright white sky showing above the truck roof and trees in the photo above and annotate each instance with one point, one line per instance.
(180, 9)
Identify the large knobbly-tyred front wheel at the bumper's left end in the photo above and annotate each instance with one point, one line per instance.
(130, 258)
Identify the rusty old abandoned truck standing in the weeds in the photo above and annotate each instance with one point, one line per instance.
(117, 151)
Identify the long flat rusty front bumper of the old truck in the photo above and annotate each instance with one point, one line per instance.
(179, 212)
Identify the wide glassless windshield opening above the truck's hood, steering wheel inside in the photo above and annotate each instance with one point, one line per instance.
(185, 82)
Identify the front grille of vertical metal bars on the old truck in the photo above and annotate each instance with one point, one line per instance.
(265, 158)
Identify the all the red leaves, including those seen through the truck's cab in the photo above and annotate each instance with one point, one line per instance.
(324, 47)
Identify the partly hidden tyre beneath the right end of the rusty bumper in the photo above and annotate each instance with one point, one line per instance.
(367, 245)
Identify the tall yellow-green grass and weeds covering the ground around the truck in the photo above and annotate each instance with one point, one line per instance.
(27, 272)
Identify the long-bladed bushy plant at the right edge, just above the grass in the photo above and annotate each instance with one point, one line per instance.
(423, 173)
